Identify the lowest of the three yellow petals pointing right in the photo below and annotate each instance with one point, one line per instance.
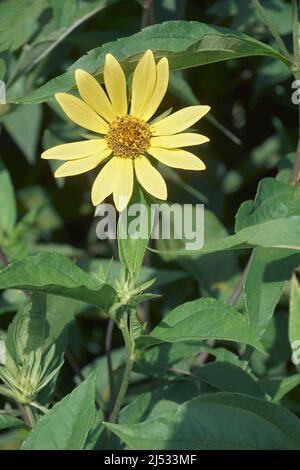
(177, 158)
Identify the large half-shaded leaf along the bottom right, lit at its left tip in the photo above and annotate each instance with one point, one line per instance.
(215, 422)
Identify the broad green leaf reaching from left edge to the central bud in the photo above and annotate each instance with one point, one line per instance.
(56, 274)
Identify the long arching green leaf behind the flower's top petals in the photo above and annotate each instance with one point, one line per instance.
(186, 44)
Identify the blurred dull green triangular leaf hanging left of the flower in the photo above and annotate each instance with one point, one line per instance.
(23, 125)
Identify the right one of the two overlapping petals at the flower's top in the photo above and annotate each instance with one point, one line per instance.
(159, 90)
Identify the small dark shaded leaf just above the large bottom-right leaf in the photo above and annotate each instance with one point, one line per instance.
(229, 378)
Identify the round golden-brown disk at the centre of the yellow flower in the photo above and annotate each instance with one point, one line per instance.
(128, 136)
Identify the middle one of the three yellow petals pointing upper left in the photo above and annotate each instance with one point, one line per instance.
(93, 94)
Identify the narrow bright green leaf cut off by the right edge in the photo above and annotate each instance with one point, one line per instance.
(294, 322)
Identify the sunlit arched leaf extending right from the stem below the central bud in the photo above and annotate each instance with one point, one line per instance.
(203, 319)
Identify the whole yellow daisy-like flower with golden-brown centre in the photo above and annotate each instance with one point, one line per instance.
(126, 136)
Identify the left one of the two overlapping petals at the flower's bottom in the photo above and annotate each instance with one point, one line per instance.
(104, 183)
